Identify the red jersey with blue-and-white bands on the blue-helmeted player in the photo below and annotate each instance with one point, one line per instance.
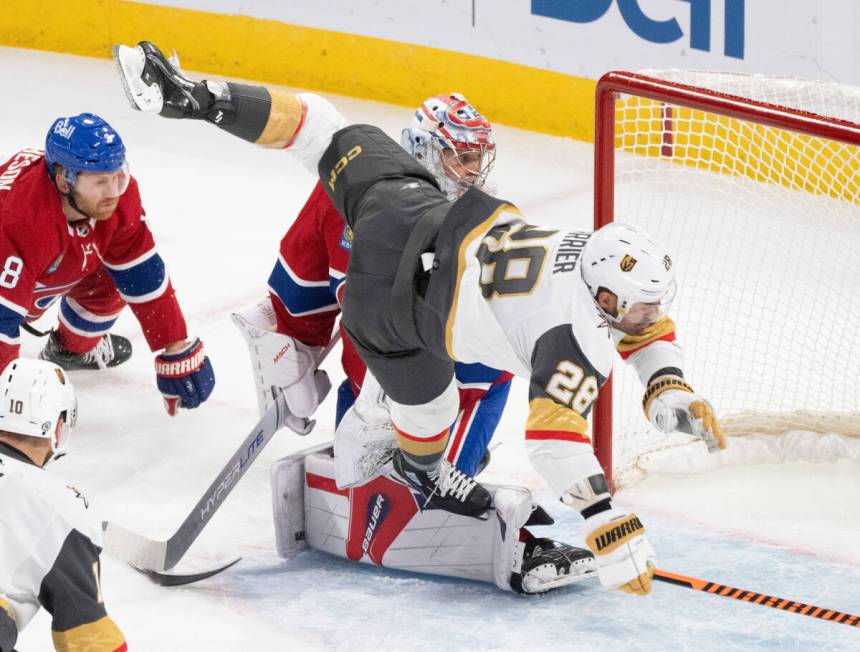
(43, 256)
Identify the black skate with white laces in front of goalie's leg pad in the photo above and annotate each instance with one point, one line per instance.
(444, 487)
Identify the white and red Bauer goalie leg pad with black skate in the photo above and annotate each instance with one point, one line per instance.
(380, 523)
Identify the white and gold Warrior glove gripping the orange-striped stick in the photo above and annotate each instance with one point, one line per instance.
(625, 559)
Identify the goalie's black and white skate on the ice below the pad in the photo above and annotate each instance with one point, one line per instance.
(549, 564)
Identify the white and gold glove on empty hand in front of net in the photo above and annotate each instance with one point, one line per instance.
(670, 404)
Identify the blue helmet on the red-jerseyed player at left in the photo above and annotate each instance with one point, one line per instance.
(83, 143)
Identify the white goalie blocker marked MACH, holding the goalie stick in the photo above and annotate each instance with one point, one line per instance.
(281, 364)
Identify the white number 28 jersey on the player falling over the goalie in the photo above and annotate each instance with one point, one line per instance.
(519, 303)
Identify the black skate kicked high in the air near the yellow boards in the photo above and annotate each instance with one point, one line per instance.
(153, 83)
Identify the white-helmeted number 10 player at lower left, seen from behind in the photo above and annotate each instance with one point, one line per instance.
(49, 554)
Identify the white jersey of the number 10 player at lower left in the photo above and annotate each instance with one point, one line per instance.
(50, 557)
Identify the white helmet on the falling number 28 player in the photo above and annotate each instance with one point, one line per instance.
(630, 263)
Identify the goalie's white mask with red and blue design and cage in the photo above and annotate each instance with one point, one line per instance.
(450, 122)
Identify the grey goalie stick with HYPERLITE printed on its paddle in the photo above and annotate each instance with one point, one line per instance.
(155, 557)
